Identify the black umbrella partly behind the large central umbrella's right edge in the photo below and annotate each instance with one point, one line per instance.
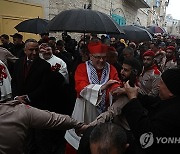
(137, 34)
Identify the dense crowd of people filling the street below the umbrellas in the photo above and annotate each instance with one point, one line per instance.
(98, 95)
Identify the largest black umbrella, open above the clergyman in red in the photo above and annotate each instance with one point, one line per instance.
(84, 21)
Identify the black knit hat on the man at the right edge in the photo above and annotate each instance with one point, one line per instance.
(171, 78)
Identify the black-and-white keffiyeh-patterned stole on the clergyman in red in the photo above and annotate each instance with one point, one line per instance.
(93, 79)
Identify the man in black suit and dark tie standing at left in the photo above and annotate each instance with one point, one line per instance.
(30, 76)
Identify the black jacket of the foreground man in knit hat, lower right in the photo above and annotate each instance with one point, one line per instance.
(158, 118)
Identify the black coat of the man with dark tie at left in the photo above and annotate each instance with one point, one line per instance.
(34, 84)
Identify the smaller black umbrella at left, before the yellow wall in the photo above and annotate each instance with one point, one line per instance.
(35, 26)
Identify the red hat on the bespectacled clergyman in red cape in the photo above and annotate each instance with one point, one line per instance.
(97, 47)
